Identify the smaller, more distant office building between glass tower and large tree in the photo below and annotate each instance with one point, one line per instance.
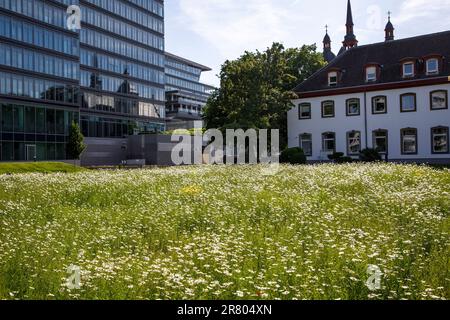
(185, 94)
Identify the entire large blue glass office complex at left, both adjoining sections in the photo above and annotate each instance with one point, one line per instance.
(108, 76)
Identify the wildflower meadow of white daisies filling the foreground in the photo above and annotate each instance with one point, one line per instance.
(221, 232)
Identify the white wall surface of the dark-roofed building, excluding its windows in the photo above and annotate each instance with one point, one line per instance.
(423, 120)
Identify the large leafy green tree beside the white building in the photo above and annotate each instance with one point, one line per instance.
(256, 89)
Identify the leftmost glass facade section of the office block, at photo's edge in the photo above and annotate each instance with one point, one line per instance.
(39, 79)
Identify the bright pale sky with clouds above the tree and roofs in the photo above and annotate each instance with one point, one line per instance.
(211, 31)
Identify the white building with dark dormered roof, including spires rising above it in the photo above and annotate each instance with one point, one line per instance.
(390, 96)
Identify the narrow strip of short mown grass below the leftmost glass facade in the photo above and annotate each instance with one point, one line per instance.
(32, 167)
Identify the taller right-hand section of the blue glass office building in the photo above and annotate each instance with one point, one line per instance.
(122, 67)
